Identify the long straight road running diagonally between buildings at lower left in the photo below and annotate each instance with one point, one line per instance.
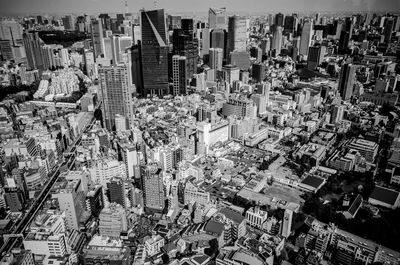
(38, 203)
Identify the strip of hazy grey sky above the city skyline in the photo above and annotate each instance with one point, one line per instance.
(94, 6)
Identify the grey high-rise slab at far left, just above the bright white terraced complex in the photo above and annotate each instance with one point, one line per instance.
(33, 49)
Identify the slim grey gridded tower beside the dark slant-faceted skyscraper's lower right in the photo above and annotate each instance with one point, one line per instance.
(179, 75)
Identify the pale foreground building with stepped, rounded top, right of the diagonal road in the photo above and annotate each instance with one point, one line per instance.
(113, 220)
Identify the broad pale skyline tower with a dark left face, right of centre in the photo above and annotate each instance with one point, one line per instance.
(237, 33)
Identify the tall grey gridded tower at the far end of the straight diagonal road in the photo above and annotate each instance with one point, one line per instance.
(116, 93)
